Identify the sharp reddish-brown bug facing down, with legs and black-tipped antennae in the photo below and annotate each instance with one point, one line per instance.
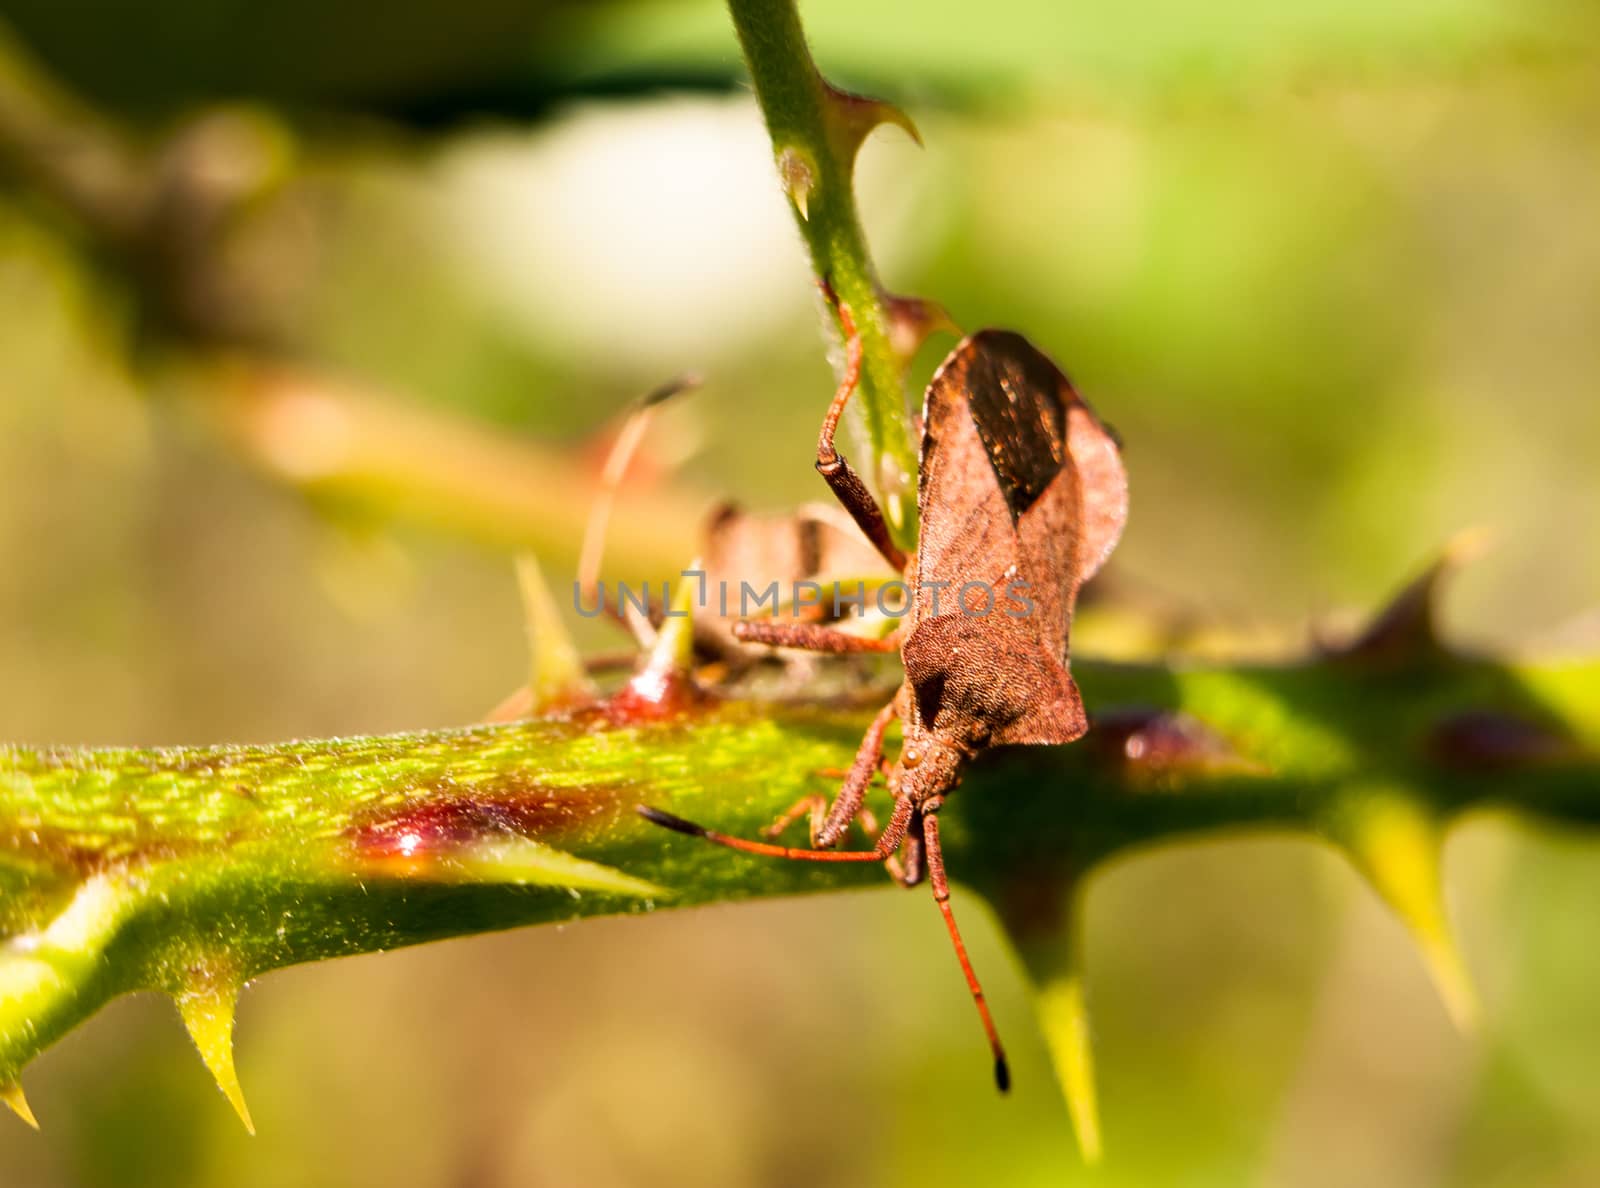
(1022, 497)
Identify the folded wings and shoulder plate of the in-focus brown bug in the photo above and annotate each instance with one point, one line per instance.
(1022, 488)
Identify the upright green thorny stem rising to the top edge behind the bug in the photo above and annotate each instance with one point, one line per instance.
(815, 135)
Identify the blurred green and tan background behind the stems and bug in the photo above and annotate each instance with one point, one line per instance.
(1332, 268)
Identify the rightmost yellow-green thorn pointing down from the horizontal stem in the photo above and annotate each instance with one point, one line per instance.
(1398, 848)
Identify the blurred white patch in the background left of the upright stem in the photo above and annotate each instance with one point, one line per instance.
(654, 231)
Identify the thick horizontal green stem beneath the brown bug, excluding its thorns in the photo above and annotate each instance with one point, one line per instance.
(180, 869)
